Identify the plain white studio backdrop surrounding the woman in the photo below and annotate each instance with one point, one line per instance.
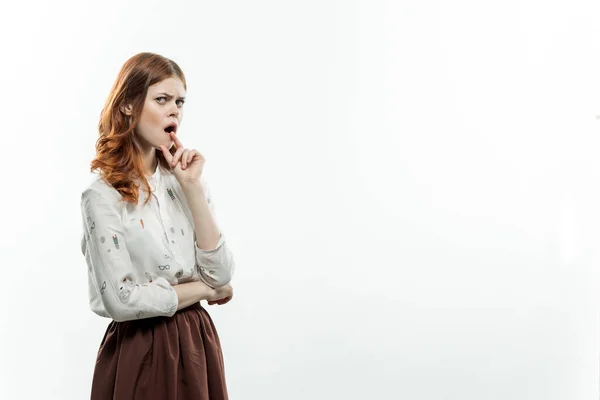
(410, 189)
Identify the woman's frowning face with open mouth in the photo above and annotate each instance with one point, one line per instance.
(163, 108)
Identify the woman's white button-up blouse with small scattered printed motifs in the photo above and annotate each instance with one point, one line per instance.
(135, 253)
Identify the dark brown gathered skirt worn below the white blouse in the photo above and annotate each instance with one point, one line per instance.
(166, 358)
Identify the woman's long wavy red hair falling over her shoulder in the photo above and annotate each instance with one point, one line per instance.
(118, 157)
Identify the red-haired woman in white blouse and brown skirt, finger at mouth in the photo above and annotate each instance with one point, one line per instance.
(152, 245)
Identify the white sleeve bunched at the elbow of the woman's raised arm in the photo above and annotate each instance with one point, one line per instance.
(215, 266)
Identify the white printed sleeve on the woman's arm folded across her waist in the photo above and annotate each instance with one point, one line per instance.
(110, 267)
